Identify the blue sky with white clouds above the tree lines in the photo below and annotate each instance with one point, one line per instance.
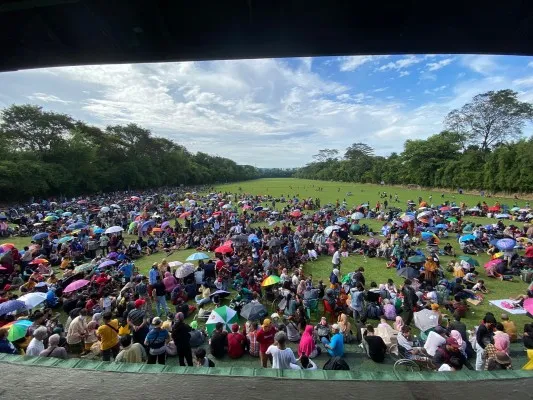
(274, 112)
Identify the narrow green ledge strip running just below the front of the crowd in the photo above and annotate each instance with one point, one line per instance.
(464, 375)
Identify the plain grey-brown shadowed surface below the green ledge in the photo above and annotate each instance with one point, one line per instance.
(23, 382)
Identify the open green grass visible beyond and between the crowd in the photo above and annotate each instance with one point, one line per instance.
(374, 268)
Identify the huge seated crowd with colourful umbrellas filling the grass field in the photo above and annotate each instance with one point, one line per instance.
(75, 291)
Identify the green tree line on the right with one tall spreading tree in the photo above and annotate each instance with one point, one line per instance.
(482, 148)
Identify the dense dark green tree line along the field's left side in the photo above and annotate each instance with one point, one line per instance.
(44, 153)
